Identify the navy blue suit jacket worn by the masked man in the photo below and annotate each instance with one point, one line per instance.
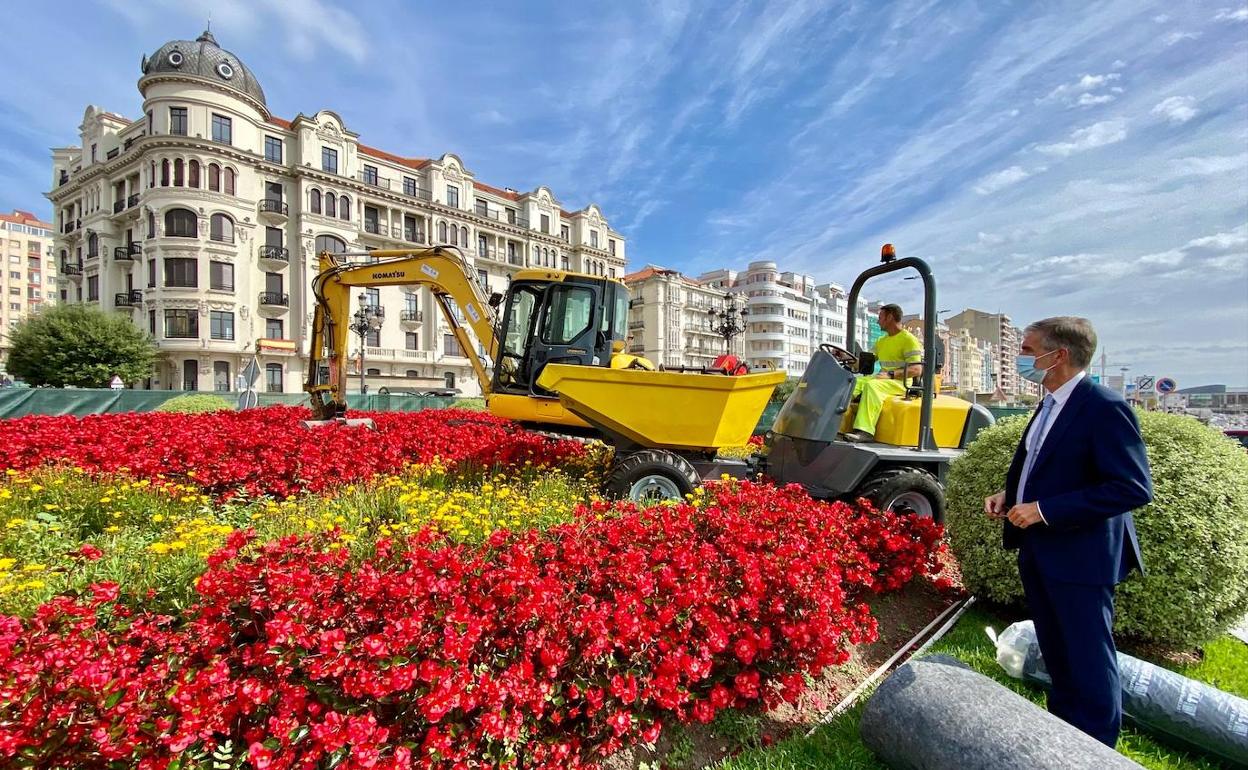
(1091, 474)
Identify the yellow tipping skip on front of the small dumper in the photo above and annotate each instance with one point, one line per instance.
(665, 410)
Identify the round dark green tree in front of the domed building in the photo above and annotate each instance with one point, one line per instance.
(79, 345)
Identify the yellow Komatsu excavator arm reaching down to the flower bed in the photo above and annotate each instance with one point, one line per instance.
(442, 269)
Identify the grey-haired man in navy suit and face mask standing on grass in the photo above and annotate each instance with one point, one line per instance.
(1076, 477)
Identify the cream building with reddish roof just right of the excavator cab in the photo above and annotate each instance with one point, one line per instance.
(671, 319)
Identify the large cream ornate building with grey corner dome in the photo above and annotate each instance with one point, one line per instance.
(203, 220)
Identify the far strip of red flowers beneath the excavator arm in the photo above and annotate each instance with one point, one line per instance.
(266, 451)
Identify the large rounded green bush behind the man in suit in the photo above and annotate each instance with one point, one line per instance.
(1194, 536)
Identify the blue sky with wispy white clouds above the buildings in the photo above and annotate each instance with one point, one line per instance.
(1046, 158)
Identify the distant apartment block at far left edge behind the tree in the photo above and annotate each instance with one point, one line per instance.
(31, 273)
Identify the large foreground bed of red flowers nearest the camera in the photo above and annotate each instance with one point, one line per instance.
(536, 650)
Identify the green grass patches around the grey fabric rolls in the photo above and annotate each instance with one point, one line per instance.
(838, 746)
